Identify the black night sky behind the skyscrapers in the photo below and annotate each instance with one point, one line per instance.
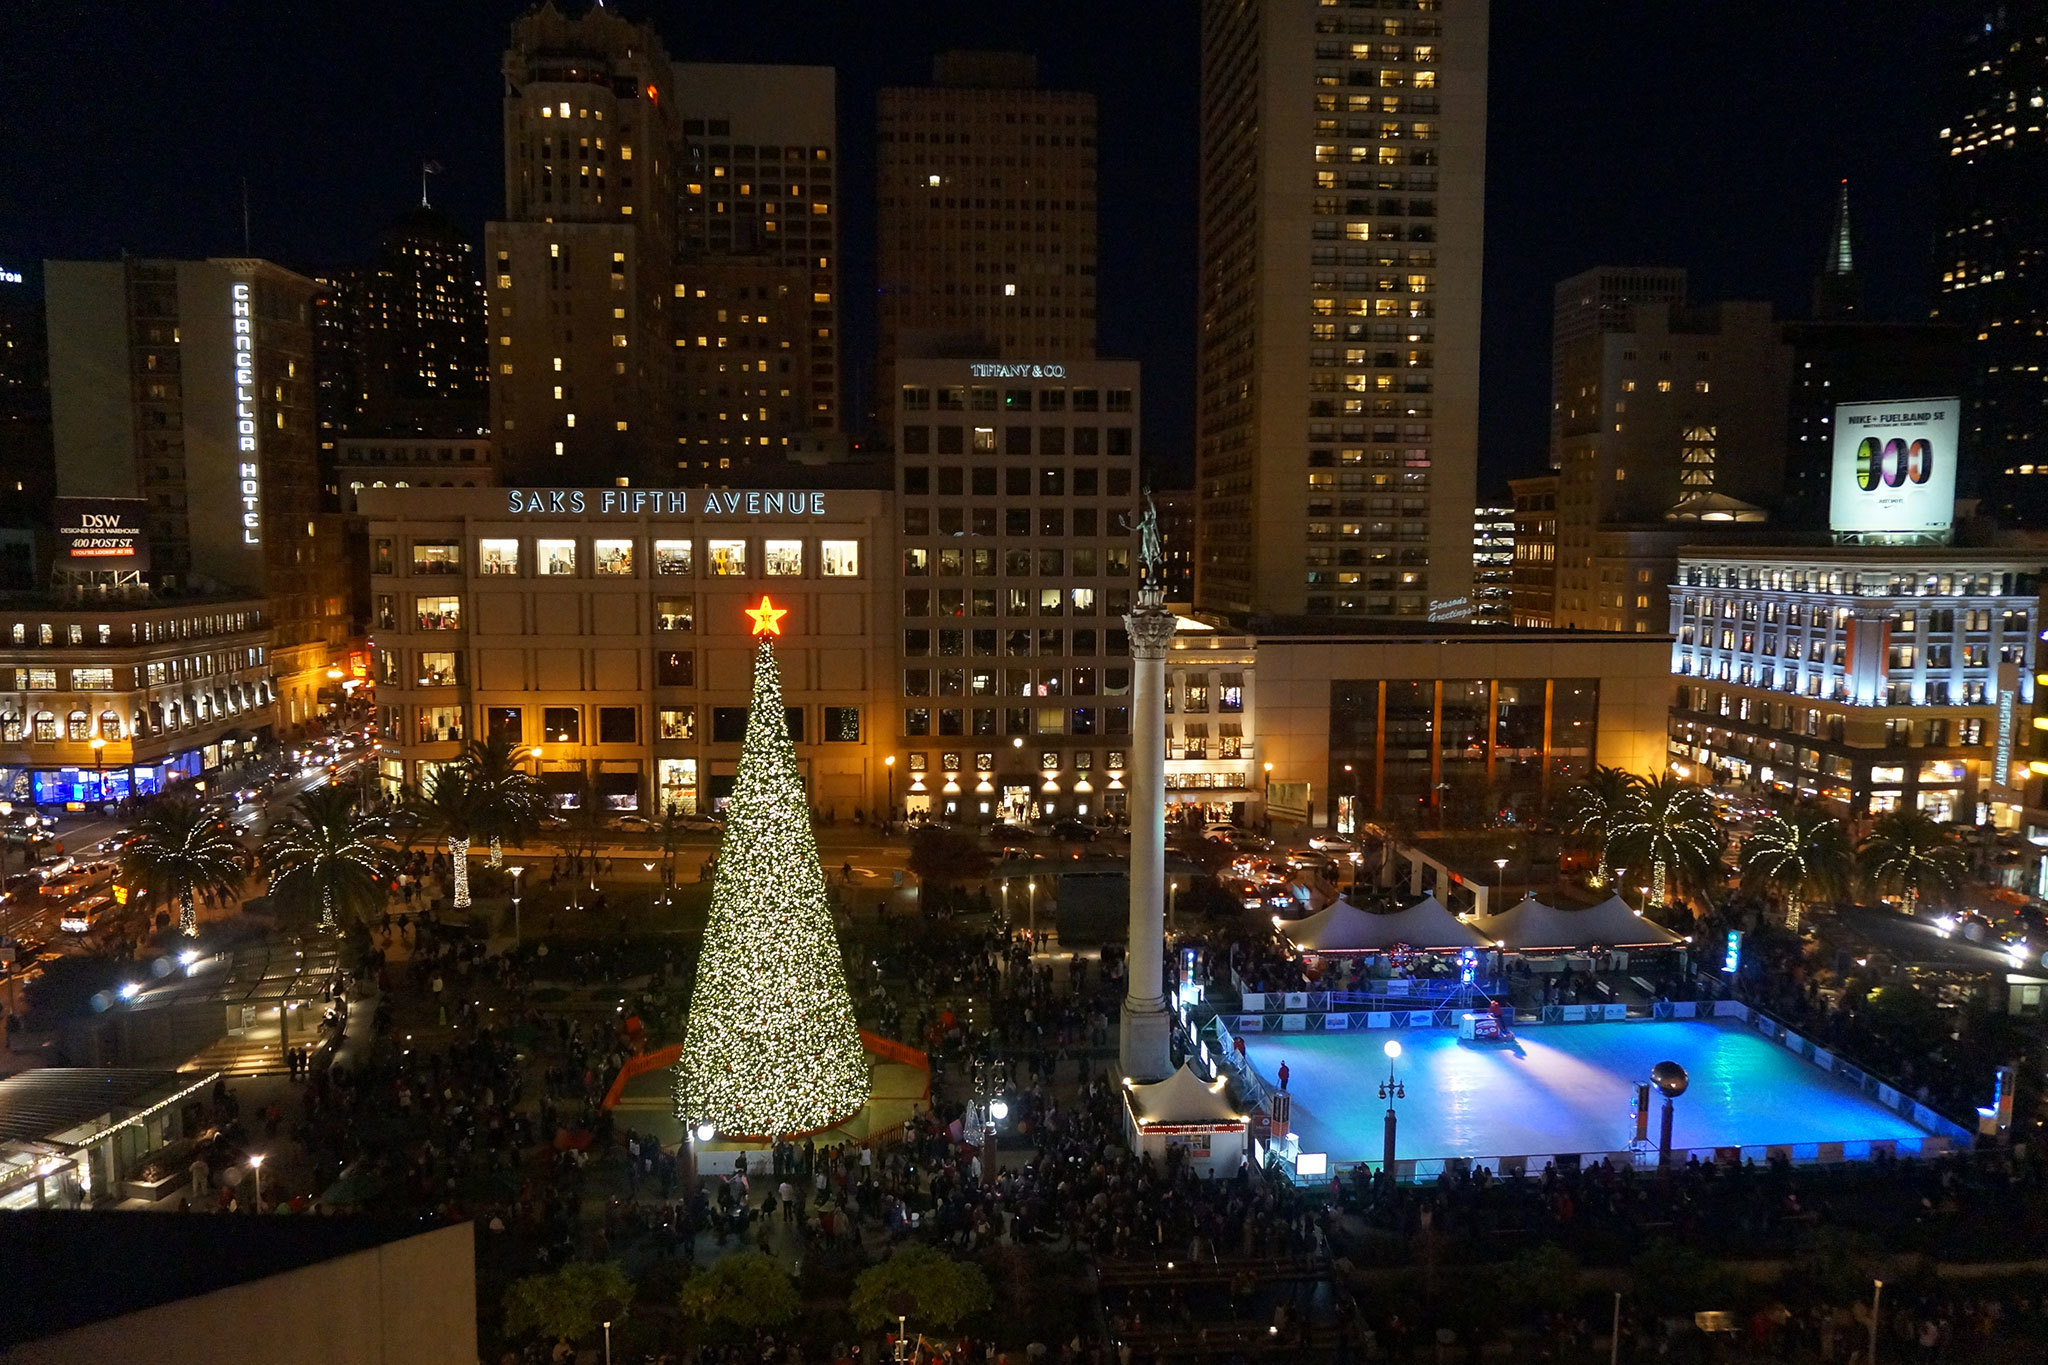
(1621, 132)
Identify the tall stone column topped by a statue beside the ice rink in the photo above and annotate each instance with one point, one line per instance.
(1148, 1026)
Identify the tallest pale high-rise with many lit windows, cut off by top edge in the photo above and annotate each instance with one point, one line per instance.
(1340, 271)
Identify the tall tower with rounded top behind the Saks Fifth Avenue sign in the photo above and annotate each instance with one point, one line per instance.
(581, 269)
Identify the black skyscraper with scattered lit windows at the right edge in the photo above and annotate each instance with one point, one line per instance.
(1990, 249)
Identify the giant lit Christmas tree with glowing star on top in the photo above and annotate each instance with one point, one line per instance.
(771, 1045)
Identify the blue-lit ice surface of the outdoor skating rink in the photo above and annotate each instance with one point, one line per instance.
(1572, 1088)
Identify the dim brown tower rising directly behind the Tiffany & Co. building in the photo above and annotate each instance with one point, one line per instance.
(988, 218)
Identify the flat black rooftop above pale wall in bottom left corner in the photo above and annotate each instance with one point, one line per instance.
(161, 1260)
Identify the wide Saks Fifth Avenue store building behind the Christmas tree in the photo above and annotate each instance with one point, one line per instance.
(603, 631)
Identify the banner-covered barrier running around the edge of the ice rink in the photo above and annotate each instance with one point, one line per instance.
(1943, 1135)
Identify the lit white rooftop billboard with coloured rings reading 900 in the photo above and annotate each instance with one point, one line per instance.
(1895, 468)
